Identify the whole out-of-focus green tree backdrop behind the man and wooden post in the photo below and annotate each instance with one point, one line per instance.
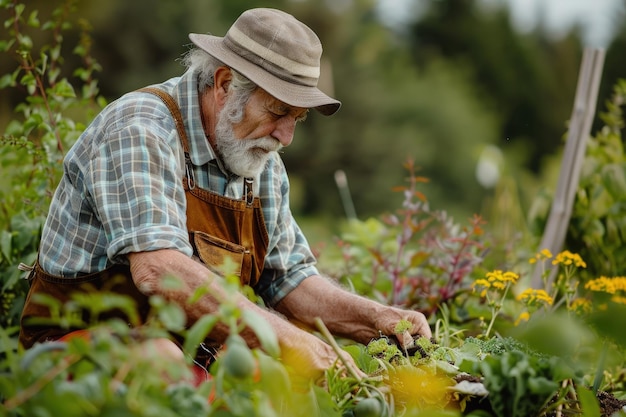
(458, 90)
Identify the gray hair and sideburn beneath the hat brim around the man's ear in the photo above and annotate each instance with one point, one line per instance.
(241, 87)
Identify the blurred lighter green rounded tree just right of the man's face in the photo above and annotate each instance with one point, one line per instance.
(390, 112)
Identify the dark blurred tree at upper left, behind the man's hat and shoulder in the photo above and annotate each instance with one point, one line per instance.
(139, 41)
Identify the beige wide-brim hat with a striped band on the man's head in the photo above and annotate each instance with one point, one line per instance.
(277, 52)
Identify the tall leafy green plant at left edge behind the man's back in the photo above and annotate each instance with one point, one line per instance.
(53, 101)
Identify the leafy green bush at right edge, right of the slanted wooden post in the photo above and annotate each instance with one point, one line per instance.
(597, 230)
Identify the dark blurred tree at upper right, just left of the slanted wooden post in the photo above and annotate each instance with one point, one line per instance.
(528, 79)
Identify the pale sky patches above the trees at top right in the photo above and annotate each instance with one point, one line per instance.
(598, 18)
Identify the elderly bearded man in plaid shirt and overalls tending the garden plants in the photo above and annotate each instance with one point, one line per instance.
(178, 177)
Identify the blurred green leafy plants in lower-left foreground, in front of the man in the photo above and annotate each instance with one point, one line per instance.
(113, 372)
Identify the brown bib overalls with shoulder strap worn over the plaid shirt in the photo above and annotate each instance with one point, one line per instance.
(219, 228)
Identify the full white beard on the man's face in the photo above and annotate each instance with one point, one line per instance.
(243, 157)
